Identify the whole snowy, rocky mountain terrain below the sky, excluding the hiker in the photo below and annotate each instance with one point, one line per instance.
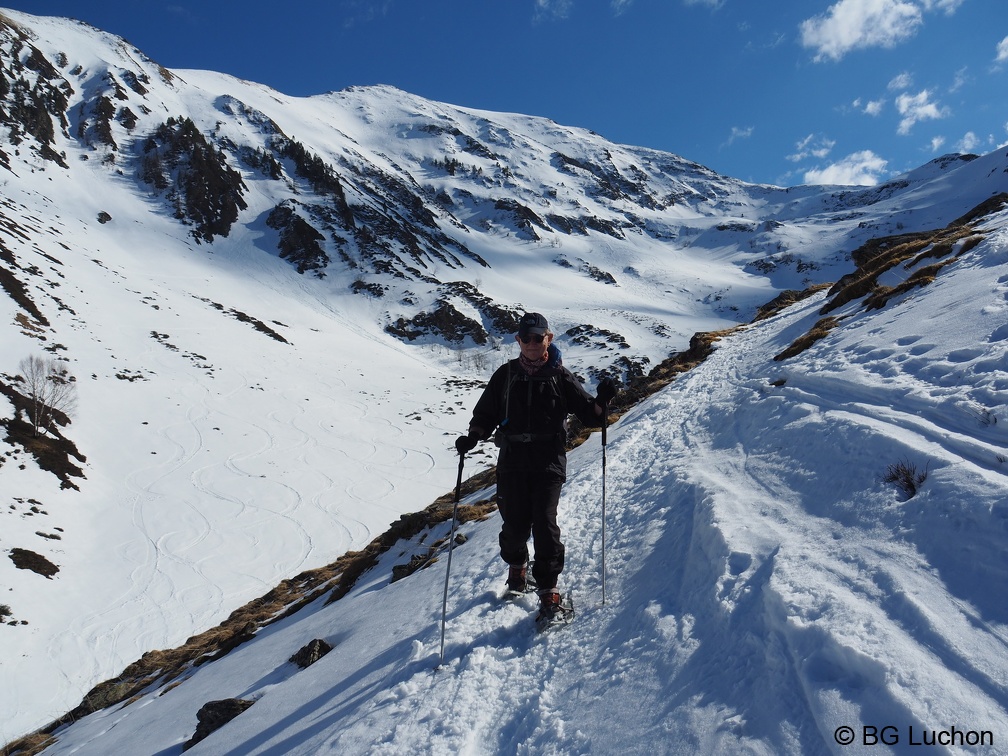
(277, 314)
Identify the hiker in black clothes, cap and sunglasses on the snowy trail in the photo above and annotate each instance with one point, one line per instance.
(526, 407)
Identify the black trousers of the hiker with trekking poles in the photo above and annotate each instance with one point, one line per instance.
(528, 501)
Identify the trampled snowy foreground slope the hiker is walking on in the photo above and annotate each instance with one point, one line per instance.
(767, 587)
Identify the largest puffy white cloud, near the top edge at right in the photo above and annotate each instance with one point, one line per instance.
(855, 25)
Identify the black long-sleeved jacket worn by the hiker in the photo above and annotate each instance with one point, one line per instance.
(530, 414)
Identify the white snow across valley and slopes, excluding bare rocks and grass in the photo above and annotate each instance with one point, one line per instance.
(766, 586)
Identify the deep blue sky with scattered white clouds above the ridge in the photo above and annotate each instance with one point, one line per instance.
(776, 91)
